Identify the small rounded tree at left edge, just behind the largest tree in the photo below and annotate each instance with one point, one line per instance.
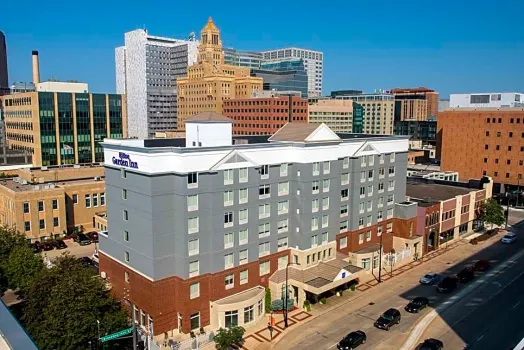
(21, 267)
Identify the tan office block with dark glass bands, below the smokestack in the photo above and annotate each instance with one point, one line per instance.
(63, 127)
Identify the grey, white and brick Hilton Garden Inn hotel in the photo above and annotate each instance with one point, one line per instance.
(199, 231)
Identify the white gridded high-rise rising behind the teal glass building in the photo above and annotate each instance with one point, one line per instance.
(313, 62)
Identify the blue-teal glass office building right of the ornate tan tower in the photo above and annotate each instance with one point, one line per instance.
(285, 75)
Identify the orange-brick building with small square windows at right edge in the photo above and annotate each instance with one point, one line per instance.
(483, 141)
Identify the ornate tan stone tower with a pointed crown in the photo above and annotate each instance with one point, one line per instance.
(209, 81)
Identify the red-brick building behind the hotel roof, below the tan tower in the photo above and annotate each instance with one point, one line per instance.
(264, 115)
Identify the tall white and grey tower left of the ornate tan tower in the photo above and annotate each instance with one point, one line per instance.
(146, 71)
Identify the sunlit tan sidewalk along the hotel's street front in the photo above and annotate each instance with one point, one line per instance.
(262, 339)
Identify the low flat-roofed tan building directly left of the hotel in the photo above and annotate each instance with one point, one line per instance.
(47, 202)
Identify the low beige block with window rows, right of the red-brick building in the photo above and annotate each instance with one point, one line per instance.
(337, 114)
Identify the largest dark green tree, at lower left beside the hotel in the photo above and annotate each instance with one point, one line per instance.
(64, 303)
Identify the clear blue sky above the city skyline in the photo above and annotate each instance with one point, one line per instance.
(451, 46)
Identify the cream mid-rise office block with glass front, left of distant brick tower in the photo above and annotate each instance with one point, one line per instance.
(378, 111)
